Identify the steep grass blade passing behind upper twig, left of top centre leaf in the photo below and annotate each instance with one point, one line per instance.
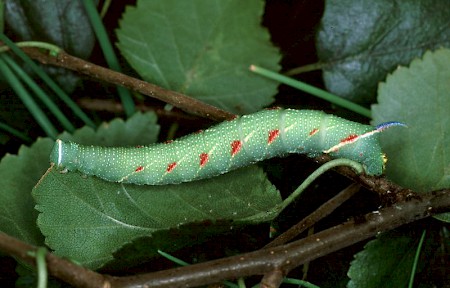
(110, 56)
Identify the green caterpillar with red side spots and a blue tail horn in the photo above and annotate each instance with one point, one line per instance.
(228, 146)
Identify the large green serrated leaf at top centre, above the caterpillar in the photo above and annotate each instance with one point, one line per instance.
(202, 48)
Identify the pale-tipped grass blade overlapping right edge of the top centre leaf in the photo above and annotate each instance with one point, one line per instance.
(313, 90)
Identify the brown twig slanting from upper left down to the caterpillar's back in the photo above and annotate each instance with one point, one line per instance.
(179, 100)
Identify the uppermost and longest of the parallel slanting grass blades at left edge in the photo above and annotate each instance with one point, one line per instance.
(41, 73)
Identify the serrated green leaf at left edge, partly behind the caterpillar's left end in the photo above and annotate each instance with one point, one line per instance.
(20, 173)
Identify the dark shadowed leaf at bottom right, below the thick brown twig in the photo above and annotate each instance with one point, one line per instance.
(384, 262)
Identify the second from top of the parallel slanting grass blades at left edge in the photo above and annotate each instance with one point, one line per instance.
(40, 93)
